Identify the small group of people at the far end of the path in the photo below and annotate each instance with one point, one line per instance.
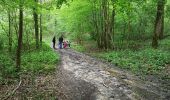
(61, 42)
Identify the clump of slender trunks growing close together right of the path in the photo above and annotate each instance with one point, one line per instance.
(103, 23)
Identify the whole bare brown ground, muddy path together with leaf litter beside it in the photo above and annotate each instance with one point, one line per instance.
(82, 77)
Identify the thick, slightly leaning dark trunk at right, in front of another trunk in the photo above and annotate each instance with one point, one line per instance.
(158, 24)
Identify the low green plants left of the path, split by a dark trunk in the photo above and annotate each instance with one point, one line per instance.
(43, 60)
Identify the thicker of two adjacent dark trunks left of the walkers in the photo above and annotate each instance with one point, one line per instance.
(36, 26)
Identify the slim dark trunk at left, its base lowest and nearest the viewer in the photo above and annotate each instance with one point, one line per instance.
(18, 54)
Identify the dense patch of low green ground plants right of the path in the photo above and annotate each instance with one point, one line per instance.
(146, 61)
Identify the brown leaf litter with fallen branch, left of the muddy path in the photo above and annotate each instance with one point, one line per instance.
(31, 87)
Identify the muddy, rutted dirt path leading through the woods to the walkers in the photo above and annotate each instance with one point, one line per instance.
(81, 77)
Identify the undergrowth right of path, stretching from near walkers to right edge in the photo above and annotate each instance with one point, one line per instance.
(143, 61)
